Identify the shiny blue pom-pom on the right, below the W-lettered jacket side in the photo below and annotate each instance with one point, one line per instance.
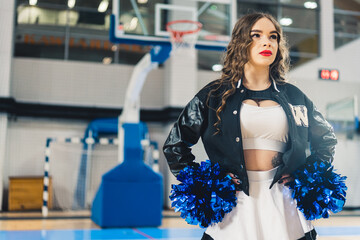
(318, 189)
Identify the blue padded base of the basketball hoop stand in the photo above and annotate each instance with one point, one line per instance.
(131, 194)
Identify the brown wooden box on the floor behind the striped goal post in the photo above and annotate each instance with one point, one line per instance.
(26, 193)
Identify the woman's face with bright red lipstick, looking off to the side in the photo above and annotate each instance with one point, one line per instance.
(264, 47)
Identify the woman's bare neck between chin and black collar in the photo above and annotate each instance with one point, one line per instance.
(256, 78)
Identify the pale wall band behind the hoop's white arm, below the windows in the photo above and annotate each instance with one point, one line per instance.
(80, 83)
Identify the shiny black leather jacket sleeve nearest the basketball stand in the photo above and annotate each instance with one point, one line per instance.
(185, 133)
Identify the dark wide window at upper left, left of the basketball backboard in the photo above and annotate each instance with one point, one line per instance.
(52, 29)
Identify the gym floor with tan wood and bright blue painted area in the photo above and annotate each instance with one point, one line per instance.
(78, 226)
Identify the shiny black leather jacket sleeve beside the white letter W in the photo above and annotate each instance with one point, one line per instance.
(321, 134)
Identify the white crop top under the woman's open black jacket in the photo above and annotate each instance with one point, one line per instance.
(264, 128)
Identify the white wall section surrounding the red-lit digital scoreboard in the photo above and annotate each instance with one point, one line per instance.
(322, 92)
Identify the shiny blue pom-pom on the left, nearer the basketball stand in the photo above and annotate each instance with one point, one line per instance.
(203, 197)
